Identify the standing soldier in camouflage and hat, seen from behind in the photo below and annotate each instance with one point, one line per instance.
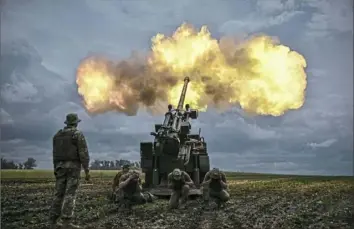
(69, 154)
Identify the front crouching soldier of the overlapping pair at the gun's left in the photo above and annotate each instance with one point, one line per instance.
(130, 190)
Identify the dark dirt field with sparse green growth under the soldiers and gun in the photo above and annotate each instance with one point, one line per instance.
(258, 201)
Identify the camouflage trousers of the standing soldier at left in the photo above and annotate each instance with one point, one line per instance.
(66, 185)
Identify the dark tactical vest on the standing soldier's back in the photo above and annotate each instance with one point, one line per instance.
(64, 147)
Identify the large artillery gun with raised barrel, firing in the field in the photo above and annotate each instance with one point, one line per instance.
(174, 147)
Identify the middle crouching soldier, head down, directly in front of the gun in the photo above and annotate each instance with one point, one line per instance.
(180, 182)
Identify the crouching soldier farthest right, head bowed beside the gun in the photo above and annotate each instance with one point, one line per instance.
(215, 186)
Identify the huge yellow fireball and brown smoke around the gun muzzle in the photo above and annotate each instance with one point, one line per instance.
(261, 75)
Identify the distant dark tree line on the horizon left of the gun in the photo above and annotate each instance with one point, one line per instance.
(30, 163)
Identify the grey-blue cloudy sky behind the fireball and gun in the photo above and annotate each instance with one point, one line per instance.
(42, 43)
